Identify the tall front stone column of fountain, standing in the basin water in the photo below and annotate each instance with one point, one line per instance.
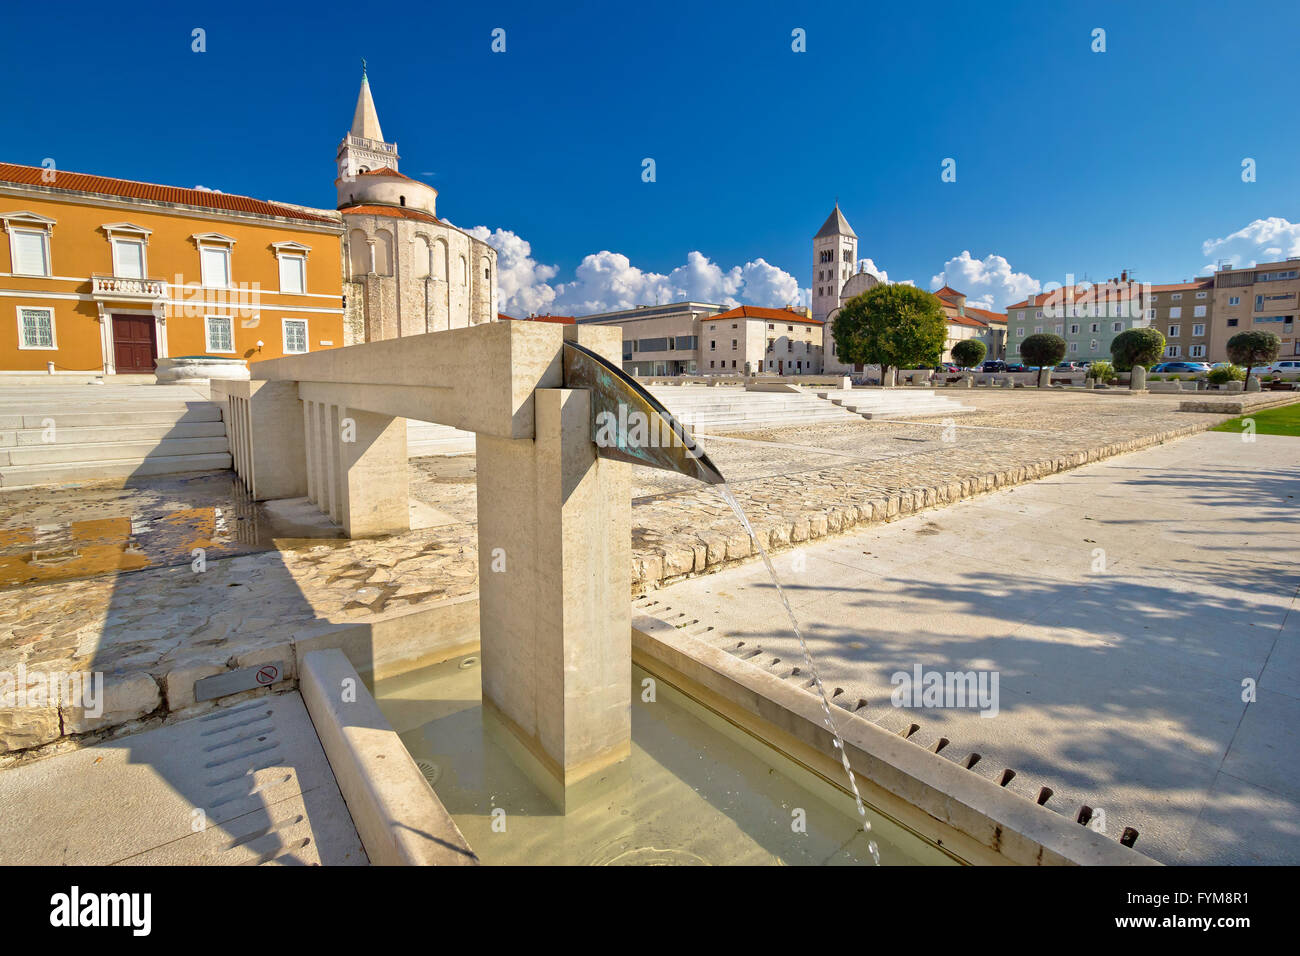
(554, 595)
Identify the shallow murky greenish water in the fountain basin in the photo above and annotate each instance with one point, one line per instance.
(695, 791)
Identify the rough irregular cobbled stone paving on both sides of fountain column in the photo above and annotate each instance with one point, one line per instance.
(154, 631)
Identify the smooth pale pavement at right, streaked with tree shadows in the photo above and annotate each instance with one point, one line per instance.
(1126, 607)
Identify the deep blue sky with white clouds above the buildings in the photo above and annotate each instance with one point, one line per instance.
(1068, 161)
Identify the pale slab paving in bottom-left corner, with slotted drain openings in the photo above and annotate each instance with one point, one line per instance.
(246, 785)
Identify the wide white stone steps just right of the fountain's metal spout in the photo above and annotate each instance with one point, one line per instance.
(705, 409)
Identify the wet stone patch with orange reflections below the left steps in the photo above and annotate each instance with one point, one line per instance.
(71, 534)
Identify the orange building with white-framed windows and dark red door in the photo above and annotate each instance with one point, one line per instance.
(109, 276)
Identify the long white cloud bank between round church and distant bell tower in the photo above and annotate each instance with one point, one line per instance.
(606, 282)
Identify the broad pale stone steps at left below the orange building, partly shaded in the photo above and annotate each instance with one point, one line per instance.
(57, 435)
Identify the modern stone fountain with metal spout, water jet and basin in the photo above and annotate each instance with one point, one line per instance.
(551, 725)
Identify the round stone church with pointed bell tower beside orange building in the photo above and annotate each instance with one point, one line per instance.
(405, 271)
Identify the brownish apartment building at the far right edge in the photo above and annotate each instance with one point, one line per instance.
(1262, 297)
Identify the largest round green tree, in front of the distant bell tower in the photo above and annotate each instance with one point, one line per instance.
(892, 327)
